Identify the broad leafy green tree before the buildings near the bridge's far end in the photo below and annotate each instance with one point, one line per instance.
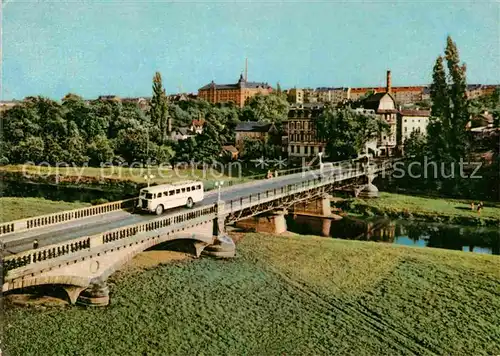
(346, 132)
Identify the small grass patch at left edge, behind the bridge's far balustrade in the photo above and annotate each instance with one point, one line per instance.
(20, 208)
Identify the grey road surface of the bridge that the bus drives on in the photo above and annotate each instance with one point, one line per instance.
(23, 240)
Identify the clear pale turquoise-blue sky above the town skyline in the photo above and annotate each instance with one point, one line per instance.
(114, 47)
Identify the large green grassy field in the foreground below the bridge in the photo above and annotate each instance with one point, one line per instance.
(282, 296)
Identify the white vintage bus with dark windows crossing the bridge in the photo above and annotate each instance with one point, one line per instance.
(158, 198)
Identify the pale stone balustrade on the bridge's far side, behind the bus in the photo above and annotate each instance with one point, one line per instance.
(63, 216)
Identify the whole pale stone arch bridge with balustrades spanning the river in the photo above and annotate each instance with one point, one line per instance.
(80, 249)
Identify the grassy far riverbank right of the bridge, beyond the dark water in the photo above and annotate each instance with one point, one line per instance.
(401, 206)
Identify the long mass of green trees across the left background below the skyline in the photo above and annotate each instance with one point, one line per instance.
(75, 131)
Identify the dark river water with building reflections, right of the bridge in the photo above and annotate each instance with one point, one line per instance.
(422, 234)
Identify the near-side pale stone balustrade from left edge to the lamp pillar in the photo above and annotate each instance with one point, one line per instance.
(84, 243)
